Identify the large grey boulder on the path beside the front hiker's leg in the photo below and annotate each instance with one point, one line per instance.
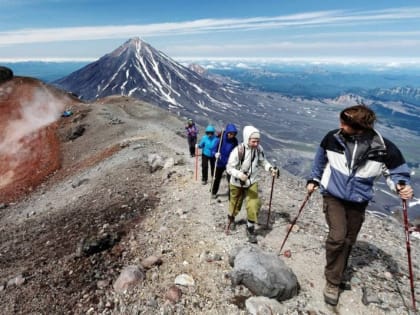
(263, 273)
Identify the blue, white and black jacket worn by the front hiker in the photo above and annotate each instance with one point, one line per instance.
(346, 167)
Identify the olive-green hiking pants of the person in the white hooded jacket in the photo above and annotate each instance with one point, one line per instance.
(252, 201)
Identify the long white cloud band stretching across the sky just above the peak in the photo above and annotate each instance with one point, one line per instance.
(321, 18)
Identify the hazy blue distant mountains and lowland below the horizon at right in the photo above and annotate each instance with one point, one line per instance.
(395, 105)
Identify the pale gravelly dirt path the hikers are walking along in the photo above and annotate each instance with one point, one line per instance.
(187, 230)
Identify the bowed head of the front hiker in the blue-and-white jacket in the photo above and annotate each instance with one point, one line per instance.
(357, 119)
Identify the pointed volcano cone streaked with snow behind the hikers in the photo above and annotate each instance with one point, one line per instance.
(137, 69)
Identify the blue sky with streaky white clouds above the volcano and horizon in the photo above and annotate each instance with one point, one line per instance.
(310, 30)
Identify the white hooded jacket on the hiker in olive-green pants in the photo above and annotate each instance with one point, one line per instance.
(252, 160)
